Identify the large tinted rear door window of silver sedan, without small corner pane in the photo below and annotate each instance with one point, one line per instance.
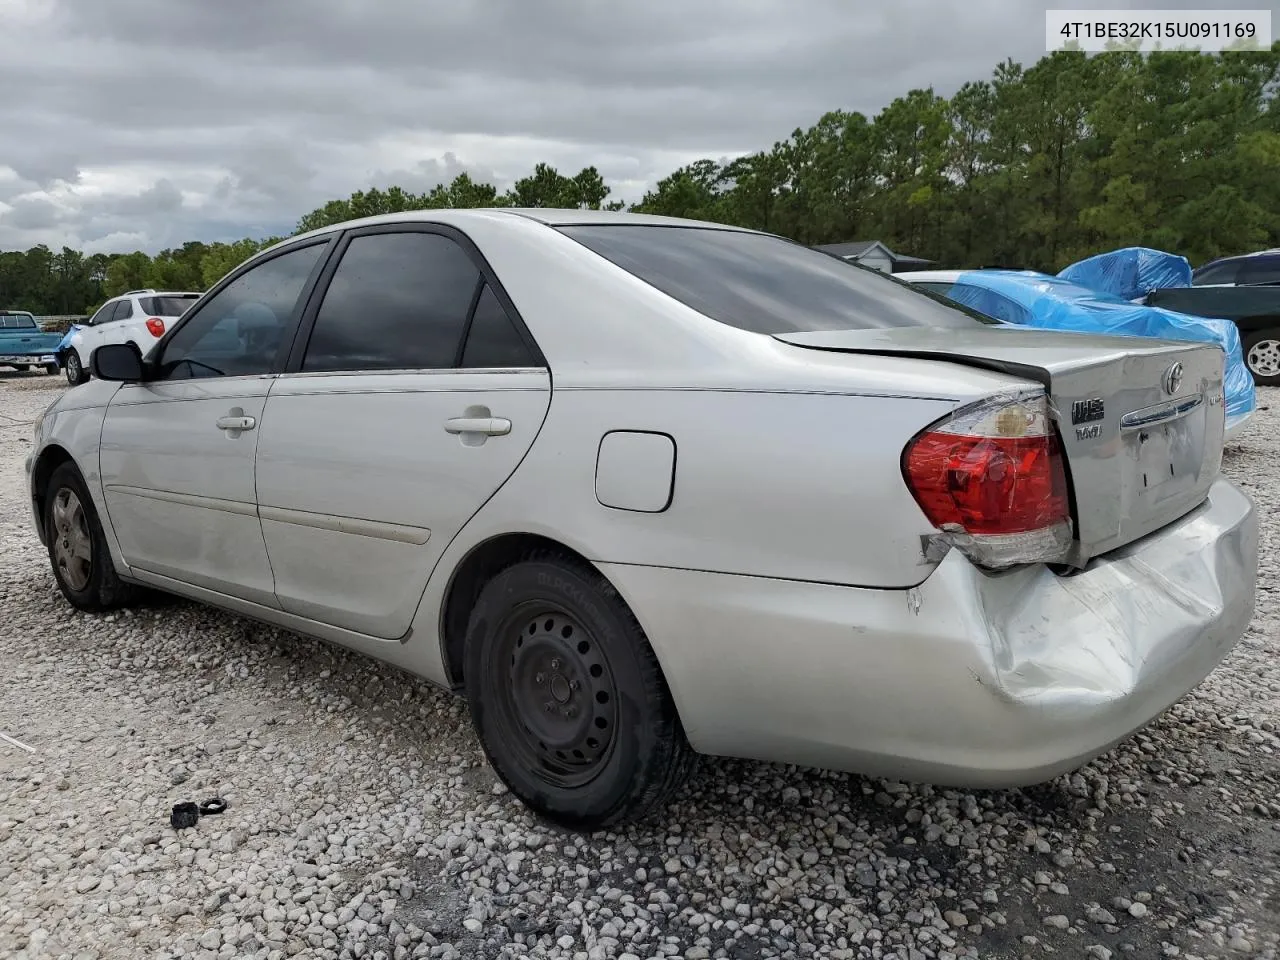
(397, 301)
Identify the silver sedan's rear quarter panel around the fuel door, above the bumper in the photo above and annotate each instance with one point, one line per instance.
(792, 486)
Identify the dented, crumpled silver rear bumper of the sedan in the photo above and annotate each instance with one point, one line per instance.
(968, 680)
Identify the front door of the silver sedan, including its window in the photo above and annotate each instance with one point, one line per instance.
(179, 451)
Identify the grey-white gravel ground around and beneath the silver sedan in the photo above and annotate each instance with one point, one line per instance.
(364, 821)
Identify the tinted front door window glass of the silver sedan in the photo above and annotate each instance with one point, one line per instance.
(240, 331)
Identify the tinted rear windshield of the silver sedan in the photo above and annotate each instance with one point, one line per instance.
(766, 285)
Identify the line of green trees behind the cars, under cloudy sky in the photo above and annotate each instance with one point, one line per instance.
(1032, 168)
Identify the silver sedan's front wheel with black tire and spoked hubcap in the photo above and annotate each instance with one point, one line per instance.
(71, 518)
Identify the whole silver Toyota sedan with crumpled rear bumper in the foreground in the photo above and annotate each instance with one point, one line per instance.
(647, 488)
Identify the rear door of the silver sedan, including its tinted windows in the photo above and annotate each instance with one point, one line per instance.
(414, 394)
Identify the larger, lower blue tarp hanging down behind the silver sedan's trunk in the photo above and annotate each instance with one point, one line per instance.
(1039, 300)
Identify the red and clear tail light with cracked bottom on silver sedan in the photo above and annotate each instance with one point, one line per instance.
(991, 478)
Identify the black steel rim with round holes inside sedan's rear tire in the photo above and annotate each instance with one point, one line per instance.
(560, 701)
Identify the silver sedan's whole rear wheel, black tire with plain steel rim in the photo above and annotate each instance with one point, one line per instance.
(569, 700)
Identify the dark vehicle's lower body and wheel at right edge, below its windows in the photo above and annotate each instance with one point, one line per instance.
(1255, 310)
